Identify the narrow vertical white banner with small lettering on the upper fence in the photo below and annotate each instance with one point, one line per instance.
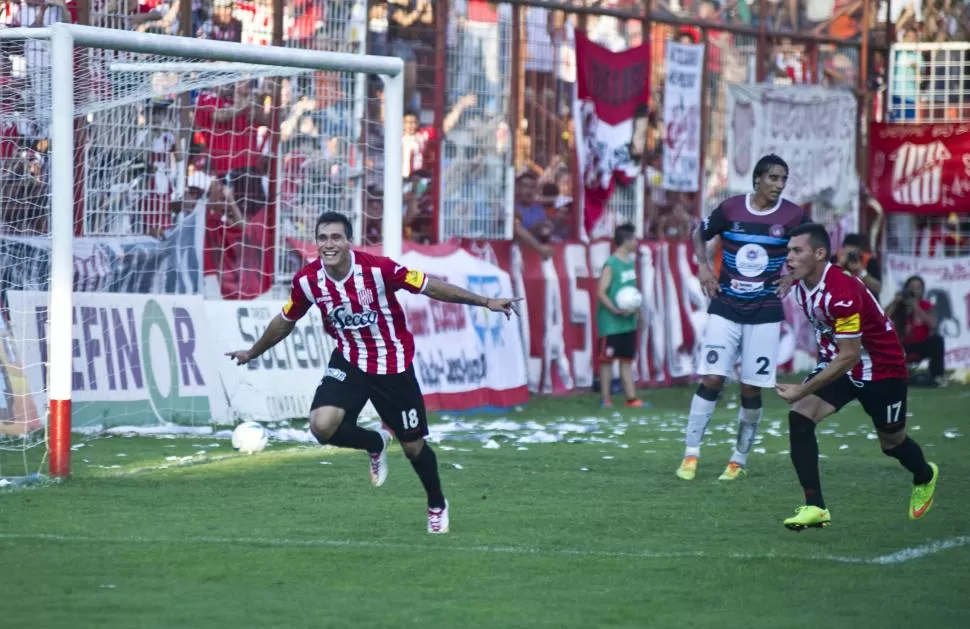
(682, 117)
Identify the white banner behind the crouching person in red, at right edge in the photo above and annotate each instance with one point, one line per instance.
(947, 288)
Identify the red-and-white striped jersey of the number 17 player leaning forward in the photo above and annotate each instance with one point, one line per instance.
(841, 307)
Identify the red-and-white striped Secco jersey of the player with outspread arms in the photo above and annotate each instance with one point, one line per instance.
(360, 310)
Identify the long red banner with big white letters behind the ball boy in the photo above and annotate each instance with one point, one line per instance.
(559, 313)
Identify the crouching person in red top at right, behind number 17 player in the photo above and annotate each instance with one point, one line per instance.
(915, 322)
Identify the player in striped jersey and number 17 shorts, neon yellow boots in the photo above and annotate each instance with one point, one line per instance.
(860, 357)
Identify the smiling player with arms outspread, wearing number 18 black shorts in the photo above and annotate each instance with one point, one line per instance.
(355, 293)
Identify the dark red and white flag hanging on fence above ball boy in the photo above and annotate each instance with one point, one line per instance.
(610, 116)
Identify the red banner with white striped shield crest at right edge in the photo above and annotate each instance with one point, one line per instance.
(920, 168)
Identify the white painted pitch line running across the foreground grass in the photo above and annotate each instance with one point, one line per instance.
(901, 556)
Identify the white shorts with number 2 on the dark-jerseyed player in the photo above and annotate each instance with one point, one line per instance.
(756, 344)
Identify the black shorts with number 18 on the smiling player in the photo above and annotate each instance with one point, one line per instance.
(396, 397)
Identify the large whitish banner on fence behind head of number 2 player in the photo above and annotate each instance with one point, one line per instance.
(812, 128)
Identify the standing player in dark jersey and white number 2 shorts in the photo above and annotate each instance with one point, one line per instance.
(745, 310)
